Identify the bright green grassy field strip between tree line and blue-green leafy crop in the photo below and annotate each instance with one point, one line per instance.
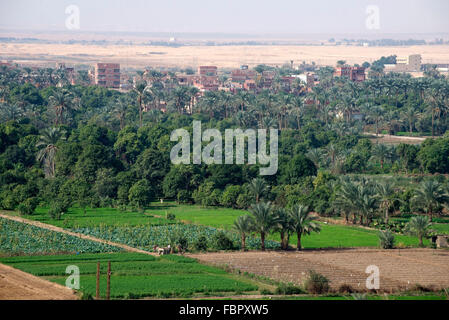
(331, 235)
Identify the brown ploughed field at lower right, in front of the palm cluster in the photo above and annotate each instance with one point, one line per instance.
(399, 269)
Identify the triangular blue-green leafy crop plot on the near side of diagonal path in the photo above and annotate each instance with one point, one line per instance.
(20, 238)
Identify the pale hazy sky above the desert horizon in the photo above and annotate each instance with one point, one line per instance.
(230, 16)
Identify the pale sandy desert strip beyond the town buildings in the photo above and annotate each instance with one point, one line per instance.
(232, 56)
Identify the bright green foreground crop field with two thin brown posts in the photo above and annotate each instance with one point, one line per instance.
(137, 275)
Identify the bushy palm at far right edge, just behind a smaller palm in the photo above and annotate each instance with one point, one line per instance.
(430, 196)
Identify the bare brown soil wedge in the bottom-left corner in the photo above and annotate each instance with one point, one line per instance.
(19, 285)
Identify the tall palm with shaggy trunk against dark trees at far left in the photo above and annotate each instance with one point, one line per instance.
(48, 149)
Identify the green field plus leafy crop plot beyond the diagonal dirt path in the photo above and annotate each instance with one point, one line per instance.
(145, 230)
